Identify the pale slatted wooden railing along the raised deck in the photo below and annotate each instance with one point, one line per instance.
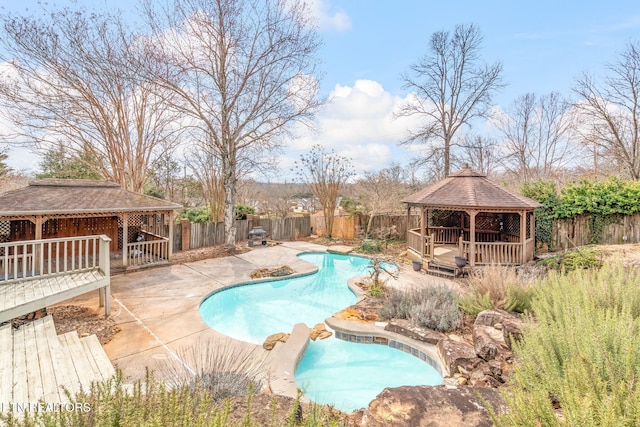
(32, 258)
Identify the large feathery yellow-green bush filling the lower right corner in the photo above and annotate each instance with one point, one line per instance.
(578, 363)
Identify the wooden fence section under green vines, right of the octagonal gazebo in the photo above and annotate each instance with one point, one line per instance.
(577, 231)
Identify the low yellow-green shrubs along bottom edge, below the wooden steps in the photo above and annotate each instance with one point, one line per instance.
(150, 403)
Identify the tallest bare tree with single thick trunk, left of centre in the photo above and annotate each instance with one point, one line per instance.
(244, 72)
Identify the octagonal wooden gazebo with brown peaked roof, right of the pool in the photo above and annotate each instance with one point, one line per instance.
(469, 216)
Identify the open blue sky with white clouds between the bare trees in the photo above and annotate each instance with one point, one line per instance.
(543, 46)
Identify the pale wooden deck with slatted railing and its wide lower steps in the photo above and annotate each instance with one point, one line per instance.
(35, 363)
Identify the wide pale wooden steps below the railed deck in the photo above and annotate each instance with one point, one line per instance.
(36, 364)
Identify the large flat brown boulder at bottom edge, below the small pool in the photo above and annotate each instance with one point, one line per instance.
(440, 406)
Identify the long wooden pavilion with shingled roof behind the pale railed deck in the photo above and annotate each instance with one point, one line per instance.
(139, 226)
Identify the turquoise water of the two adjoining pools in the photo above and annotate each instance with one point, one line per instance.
(344, 374)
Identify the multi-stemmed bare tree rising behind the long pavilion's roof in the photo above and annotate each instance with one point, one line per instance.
(75, 80)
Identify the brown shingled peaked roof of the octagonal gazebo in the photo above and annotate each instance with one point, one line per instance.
(469, 189)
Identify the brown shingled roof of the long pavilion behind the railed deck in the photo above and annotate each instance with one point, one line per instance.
(77, 196)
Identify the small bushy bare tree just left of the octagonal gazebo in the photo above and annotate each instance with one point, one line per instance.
(381, 191)
